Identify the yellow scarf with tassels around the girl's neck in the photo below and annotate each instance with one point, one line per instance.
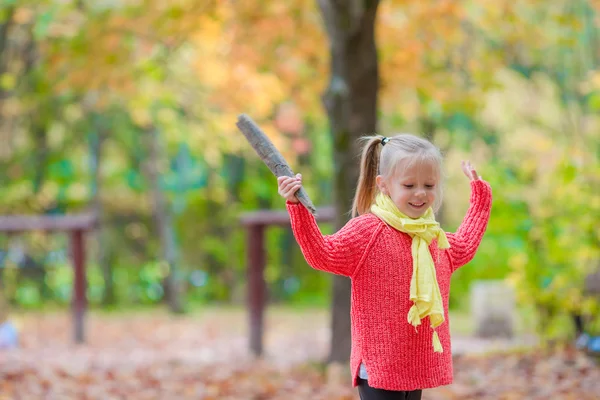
(424, 289)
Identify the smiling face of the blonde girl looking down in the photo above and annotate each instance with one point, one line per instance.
(412, 188)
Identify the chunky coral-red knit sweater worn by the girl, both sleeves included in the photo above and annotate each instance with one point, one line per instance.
(378, 260)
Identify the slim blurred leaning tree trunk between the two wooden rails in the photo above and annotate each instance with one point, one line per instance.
(163, 218)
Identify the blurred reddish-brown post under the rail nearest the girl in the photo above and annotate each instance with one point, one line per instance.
(257, 287)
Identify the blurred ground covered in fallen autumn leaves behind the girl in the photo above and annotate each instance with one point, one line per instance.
(204, 356)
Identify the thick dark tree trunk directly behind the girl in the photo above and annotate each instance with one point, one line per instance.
(351, 105)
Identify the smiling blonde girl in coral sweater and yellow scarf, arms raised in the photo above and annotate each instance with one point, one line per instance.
(400, 262)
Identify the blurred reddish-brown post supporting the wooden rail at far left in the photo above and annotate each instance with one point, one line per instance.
(79, 301)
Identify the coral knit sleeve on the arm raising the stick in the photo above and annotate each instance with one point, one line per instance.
(340, 253)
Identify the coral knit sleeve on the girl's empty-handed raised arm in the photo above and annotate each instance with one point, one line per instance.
(464, 243)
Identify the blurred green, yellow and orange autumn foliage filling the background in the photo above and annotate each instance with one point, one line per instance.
(88, 83)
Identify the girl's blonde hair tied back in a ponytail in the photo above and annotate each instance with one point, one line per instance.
(386, 160)
